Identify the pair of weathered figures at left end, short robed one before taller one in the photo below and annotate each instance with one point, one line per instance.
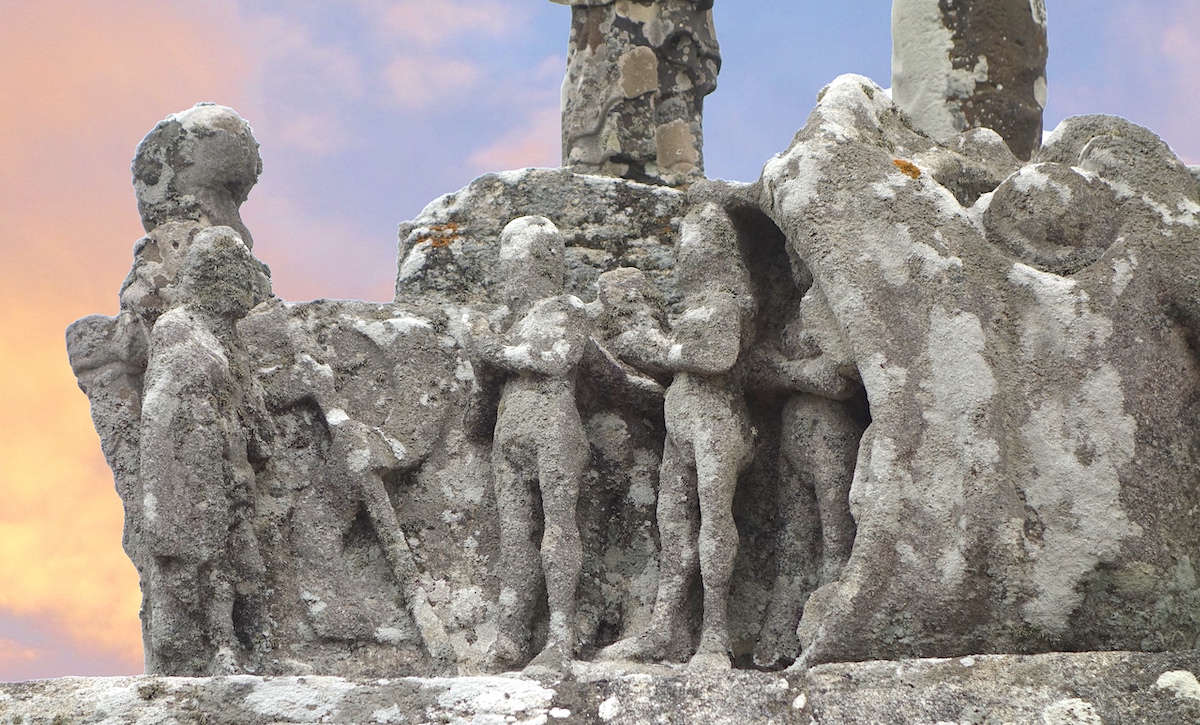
(175, 403)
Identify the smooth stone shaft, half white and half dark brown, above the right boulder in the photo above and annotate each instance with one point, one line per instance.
(967, 64)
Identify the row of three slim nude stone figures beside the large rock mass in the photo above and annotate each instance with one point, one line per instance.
(711, 349)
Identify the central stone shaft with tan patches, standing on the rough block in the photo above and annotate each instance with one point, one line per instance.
(638, 73)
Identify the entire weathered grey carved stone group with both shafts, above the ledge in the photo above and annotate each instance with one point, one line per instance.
(928, 388)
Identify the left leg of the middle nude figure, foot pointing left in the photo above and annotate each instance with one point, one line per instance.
(679, 523)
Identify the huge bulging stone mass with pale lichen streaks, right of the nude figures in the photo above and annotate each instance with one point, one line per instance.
(1033, 436)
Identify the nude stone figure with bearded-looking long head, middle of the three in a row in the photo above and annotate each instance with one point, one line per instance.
(709, 438)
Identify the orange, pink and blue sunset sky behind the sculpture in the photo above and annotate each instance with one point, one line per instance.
(367, 111)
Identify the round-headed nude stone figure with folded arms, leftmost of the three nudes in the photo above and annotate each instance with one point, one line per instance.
(539, 447)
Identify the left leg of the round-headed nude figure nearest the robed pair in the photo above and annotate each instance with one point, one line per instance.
(513, 470)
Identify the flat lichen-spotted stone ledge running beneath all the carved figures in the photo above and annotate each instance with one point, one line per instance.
(1090, 688)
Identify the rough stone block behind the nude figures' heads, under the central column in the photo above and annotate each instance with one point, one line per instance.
(451, 254)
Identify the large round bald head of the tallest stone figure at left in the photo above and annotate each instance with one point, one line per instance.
(197, 165)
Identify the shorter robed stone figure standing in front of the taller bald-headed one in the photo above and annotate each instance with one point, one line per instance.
(203, 558)
